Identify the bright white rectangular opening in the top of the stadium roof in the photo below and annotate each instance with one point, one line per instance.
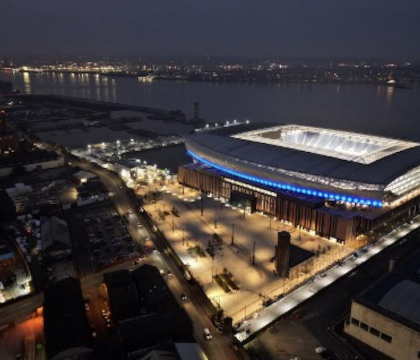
(360, 148)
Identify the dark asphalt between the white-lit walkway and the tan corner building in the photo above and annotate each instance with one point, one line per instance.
(322, 316)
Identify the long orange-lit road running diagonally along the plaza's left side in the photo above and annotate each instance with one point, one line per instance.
(219, 346)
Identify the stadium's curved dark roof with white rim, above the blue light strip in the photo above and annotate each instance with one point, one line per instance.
(378, 162)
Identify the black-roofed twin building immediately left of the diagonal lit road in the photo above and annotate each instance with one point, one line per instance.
(146, 313)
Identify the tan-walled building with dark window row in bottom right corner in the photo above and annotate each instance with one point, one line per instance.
(387, 316)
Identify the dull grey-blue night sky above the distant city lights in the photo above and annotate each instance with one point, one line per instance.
(296, 28)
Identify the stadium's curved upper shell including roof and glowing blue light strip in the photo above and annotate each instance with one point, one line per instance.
(345, 166)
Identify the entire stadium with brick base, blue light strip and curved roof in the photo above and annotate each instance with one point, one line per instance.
(335, 183)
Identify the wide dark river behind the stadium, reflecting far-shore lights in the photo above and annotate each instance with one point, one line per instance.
(363, 108)
